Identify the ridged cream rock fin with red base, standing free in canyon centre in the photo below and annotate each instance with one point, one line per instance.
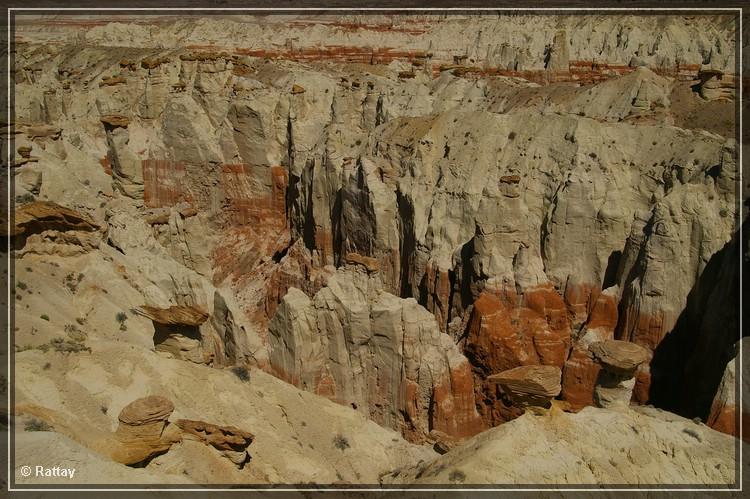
(382, 355)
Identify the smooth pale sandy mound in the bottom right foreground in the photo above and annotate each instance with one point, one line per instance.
(600, 445)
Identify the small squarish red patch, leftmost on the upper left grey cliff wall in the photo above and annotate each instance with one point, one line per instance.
(164, 183)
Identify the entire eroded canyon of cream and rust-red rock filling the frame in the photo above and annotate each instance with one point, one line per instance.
(446, 235)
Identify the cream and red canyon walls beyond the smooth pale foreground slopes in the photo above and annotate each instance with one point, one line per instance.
(389, 211)
